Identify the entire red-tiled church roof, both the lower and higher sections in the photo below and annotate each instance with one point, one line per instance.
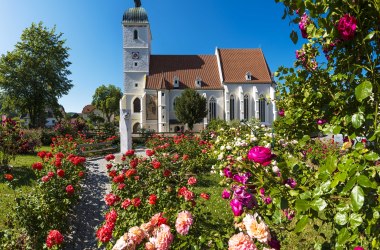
(234, 63)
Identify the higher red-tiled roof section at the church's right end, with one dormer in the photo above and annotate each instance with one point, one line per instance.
(236, 63)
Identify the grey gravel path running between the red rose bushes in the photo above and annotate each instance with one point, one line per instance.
(88, 213)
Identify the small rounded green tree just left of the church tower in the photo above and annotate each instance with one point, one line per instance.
(106, 99)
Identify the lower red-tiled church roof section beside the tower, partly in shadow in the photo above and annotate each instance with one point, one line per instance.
(164, 68)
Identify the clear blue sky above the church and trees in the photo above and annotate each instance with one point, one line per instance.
(93, 32)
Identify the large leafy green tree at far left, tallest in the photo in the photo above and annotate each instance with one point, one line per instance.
(34, 75)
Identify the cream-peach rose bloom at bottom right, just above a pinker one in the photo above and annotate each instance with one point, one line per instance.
(260, 231)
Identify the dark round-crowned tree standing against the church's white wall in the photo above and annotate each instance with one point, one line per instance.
(190, 107)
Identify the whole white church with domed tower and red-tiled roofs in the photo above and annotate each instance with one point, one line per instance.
(237, 83)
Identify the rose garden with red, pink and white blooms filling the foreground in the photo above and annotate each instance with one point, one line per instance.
(236, 185)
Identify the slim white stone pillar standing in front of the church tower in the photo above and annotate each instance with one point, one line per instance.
(125, 126)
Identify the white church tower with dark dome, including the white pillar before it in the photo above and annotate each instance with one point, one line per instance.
(136, 55)
